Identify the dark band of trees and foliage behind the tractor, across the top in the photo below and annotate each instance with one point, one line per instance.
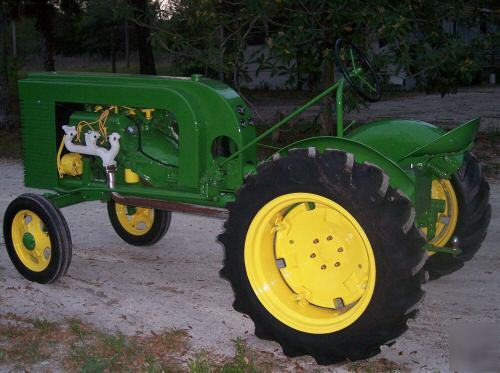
(293, 38)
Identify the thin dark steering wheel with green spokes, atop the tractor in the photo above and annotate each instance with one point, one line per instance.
(357, 70)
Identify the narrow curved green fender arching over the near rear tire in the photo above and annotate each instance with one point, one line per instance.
(398, 178)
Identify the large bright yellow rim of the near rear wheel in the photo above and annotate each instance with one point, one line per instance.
(310, 263)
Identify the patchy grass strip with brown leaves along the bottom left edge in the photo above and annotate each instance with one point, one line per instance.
(78, 347)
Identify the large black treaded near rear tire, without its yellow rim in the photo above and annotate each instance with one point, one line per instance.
(387, 217)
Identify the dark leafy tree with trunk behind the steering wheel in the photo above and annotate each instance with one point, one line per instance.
(410, 34)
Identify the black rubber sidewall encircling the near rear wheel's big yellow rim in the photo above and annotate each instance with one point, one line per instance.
(384, 242)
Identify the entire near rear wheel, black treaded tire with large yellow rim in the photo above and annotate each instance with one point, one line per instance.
(323, 255)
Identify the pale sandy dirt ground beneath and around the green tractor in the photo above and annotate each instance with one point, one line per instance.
(175, 285)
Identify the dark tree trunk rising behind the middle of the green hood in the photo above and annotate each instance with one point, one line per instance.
(146, 57)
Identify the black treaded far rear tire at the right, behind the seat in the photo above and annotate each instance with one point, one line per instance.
(474, 213)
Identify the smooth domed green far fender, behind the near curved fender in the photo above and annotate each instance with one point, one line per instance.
(396, 138)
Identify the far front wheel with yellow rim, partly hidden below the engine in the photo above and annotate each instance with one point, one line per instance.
(138, 226)
